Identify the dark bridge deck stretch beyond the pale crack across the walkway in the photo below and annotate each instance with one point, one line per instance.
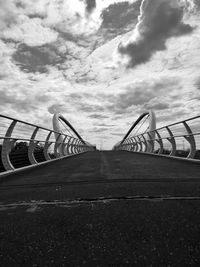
(103, 174)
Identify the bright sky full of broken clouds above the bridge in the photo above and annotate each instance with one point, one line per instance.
(99, 63)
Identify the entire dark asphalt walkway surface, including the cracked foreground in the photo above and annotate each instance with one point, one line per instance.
(103, 208)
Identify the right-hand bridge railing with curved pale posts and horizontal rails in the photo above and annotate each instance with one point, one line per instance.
(180, 139)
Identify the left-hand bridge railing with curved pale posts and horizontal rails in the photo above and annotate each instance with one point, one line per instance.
(23, 144)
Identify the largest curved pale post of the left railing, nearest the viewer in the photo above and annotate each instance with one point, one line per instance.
(7, 146)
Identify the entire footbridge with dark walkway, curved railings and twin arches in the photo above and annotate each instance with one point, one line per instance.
(65, 203)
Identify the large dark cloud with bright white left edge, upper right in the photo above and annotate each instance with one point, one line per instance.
(159, 20)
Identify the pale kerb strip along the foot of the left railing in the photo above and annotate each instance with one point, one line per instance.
(6, 174)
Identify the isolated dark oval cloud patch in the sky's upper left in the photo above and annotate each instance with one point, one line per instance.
(37, 59)
